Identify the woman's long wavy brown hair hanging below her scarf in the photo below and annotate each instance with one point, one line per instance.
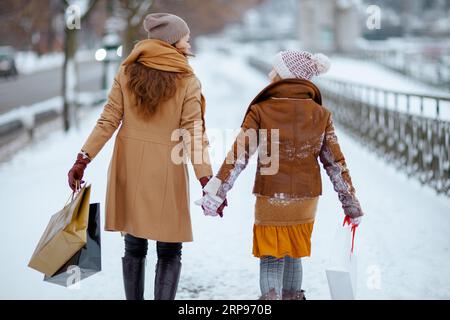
(150, 87)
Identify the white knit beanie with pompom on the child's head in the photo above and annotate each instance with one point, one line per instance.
(300, 64)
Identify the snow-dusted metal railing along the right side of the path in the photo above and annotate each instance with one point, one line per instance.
(410, 131)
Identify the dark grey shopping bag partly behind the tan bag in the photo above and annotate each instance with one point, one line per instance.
(87, 261)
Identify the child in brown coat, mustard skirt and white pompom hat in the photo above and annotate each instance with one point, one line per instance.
(288, 119)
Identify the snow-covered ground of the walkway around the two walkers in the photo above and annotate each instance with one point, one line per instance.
(402, 245)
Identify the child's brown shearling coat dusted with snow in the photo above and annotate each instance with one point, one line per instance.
(306, 133)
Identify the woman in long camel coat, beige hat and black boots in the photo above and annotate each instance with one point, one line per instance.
(155, 94)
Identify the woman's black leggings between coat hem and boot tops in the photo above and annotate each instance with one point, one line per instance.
(137, 247)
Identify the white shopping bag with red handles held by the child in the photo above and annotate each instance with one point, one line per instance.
(341, 272)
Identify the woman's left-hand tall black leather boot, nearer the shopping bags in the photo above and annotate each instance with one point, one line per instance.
(133, 277)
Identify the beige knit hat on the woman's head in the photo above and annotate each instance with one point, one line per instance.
(166, 27)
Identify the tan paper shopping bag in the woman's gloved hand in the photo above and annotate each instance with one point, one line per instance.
(64, 236)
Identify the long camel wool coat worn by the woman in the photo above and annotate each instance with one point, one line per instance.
(147, 191)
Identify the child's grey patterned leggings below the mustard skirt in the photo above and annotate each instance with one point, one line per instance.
(285, 273)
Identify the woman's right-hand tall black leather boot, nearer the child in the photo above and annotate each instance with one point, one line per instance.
(166, 278)
